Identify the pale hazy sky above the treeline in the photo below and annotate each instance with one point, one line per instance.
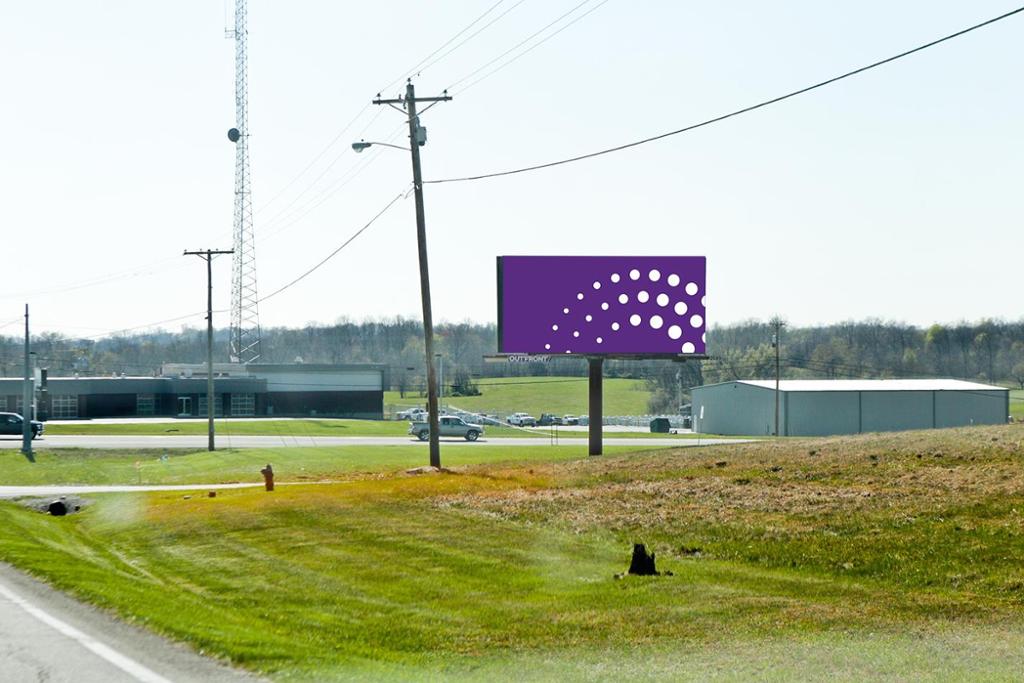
(894, 195)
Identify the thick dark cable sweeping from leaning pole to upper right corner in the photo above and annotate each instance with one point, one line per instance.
(737, 113)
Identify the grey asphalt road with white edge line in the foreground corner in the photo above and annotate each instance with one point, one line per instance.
(47, 636)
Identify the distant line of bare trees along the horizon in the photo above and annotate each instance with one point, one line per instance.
(990, 352)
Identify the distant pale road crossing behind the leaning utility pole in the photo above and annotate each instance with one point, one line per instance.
(225, 442)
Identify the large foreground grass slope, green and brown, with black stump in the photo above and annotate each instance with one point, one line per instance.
(897, 557)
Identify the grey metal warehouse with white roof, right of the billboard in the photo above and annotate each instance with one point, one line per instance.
(820, 408)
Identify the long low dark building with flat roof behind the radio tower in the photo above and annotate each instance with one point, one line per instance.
(240, 391)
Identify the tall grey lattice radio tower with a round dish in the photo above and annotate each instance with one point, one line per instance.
(245, 344)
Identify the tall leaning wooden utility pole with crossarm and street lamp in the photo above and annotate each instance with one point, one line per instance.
(418, 138)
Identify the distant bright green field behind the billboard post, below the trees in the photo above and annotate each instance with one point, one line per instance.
(559, 396)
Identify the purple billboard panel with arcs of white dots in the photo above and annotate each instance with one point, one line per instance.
(602, 306)
